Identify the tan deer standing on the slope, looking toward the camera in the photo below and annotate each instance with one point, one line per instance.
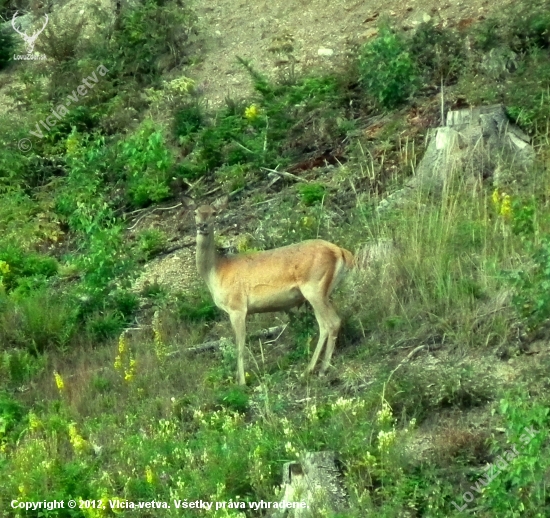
(273, 280)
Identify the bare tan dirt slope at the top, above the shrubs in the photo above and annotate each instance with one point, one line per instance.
(321, 32)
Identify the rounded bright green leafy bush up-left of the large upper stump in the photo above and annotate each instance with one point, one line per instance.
(387, 71)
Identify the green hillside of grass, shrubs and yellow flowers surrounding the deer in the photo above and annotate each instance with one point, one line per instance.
(442, 361)
